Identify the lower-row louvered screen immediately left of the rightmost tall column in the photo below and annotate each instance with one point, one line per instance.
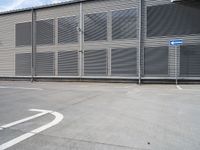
(124, 62)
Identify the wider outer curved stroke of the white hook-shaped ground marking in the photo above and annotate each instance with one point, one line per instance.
(58, 117)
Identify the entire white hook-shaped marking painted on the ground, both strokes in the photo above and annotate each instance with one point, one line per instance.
(58, 117)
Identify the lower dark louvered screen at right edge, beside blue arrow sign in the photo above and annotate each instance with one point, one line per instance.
(190, 61)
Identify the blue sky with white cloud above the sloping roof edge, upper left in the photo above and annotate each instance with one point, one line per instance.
(6, 5)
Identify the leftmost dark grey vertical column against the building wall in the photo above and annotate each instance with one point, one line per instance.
(33, 44)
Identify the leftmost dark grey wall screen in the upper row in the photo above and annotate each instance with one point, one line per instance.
(23, 34)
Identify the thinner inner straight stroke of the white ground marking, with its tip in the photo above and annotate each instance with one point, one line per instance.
(43, 112)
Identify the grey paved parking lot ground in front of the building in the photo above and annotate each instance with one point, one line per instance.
(100, 116)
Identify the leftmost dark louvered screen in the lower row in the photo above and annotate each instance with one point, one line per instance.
(23, 64)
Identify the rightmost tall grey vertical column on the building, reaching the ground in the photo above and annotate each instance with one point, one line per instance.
(140, 40)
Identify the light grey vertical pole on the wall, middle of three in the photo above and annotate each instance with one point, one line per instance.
(81, 32)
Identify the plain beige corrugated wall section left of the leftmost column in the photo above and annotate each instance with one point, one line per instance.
(8, 42)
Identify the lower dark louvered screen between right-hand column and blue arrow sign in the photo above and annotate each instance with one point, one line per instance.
(156, 61)
